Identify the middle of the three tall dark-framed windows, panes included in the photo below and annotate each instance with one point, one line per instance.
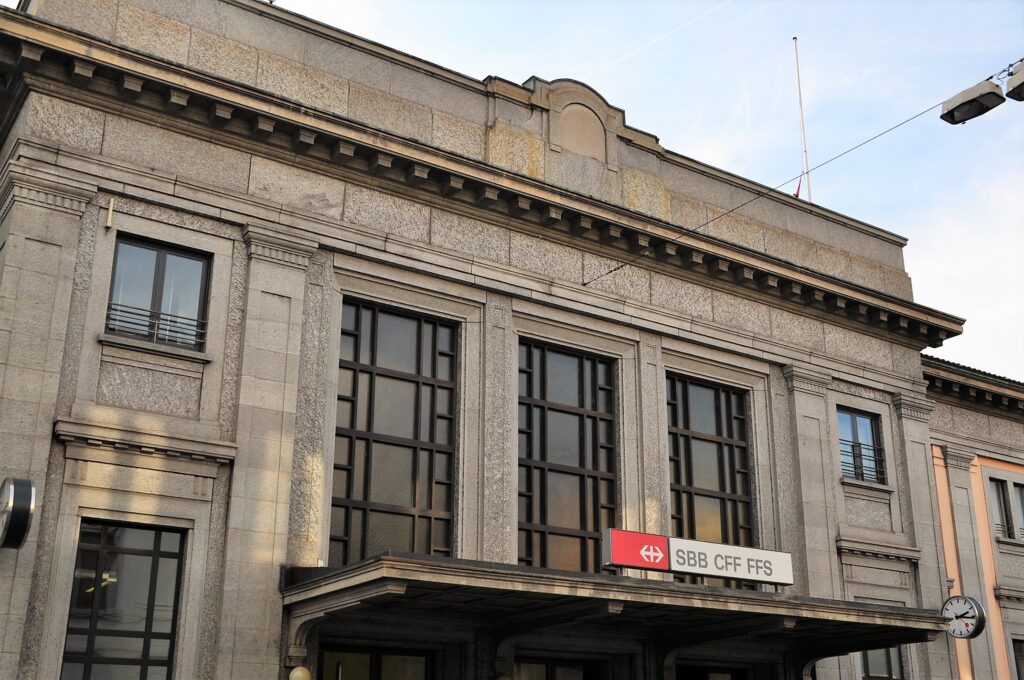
(567, 442)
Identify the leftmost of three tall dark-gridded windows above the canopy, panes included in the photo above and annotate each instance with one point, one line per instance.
(395, 440)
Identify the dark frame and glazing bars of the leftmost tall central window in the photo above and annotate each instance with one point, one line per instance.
(419, 445)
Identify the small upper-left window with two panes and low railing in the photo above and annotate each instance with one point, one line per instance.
(159, 293)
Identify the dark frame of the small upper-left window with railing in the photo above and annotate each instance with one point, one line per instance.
(159, 279)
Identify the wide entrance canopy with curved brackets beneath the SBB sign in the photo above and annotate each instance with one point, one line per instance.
(508, 602)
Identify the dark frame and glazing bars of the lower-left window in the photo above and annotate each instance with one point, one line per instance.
(148, 635)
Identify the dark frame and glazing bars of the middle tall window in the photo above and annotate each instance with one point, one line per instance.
(591, 555)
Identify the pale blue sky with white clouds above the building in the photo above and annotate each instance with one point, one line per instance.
(716, 81)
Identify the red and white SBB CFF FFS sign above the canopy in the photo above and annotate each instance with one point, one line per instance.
(664, 554)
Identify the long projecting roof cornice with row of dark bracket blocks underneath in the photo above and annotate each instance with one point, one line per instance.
(248, 116)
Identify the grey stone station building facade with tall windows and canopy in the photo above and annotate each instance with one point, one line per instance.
(321, 356)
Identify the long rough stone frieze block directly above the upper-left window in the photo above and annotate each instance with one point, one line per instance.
(157, 148)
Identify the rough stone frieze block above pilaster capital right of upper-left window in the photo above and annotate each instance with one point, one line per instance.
(297, 188)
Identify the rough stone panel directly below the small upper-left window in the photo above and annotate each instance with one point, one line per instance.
(149, 390)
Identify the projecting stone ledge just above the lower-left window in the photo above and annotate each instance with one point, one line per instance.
(117, 439)
